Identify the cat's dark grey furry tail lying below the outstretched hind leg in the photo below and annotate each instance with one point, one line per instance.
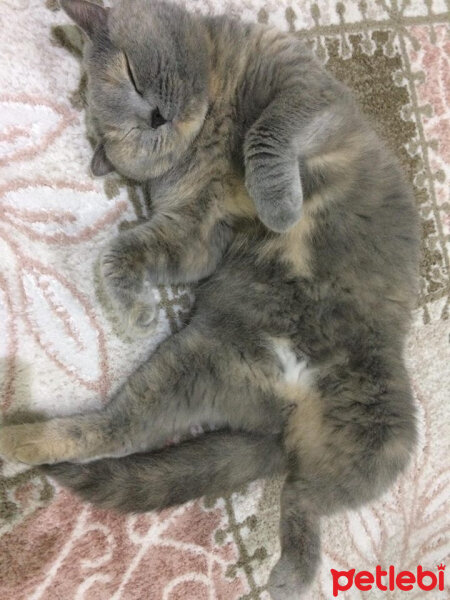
(213, 464)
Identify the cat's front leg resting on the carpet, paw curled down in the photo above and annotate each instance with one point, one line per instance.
(177, 247)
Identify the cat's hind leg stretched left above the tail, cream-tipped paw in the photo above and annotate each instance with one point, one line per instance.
(199, 376)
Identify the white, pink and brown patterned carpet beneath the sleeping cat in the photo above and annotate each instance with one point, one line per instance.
(59, 352)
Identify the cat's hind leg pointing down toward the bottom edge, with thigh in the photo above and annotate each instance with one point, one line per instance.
(349, 437)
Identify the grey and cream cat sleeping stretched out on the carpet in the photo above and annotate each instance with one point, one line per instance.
(273, 196)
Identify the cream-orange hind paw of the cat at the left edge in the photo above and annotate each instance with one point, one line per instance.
(34, 443)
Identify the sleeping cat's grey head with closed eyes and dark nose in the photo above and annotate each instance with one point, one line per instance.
(148, 83)
